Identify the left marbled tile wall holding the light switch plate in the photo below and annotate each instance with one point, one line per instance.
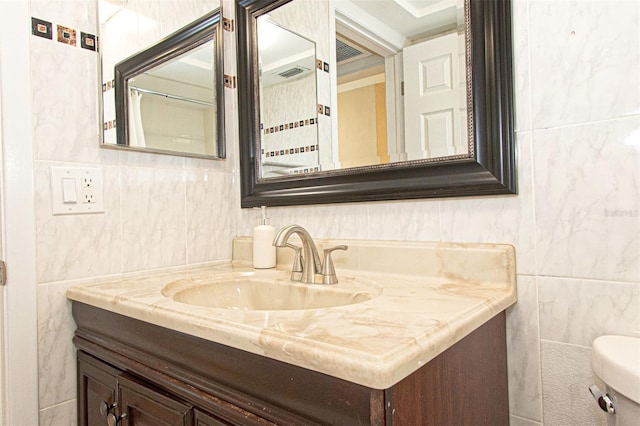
(160, 211)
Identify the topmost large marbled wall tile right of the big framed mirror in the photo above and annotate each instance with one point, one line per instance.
(585, 60)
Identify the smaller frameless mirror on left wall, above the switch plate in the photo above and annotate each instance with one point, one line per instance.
(162, 93)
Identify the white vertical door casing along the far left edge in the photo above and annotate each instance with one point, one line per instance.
(19, 310)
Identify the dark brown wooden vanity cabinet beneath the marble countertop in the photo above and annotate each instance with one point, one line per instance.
(157, 376)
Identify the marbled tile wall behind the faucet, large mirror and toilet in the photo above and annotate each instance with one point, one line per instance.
(576, 220)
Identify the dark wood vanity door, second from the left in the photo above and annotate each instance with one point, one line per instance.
(141, 405)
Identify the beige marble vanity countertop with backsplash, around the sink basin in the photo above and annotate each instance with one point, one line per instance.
(376, 343)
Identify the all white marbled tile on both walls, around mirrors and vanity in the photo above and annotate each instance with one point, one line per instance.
(575, 223)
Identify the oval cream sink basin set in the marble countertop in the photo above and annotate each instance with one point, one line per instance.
(266, 294)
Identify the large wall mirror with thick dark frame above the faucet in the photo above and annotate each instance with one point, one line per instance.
(413, 99)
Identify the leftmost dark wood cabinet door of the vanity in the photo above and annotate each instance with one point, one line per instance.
(97, 384)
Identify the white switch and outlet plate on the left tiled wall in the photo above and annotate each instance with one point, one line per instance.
(76, 190)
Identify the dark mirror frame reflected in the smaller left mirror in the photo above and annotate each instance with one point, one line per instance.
(185, 39)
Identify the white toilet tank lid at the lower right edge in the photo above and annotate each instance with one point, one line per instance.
(616, 360)
